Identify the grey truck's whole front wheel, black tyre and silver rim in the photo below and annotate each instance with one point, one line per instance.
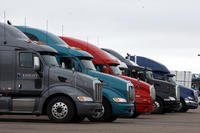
(61, 109)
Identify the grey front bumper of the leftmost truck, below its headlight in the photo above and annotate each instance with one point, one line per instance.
(88, 108)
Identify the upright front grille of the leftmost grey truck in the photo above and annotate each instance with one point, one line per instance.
(98, 92)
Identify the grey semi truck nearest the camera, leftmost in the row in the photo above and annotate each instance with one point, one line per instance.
(32, 82)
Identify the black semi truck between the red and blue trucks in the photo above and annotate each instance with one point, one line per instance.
(167, 97)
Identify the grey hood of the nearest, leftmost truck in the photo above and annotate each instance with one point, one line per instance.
(80, 81)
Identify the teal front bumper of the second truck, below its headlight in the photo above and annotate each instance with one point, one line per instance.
(122, 109)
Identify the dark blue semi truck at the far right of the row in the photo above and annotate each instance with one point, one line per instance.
(188, 96)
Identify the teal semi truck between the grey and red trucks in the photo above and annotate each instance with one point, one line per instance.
(117, 93)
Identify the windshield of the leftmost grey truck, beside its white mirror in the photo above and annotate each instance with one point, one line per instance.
(50, 60)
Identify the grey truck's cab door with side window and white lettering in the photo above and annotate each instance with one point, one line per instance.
(28, 81)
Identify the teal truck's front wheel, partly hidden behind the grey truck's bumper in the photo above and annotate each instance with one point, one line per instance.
(105, 115)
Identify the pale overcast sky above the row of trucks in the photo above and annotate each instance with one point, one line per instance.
(165, 30)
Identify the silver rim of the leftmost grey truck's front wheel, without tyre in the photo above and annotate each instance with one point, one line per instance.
(59, 110)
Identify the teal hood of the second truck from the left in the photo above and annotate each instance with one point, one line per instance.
(110, 81)
